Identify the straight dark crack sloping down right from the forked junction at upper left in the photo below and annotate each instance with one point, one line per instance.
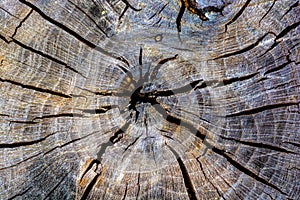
(47, 56)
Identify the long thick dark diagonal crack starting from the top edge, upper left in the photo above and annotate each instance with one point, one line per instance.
(68, 30)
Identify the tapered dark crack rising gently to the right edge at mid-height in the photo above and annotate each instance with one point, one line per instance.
(261, 109)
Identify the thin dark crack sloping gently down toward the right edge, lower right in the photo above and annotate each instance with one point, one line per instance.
(259, 145)
